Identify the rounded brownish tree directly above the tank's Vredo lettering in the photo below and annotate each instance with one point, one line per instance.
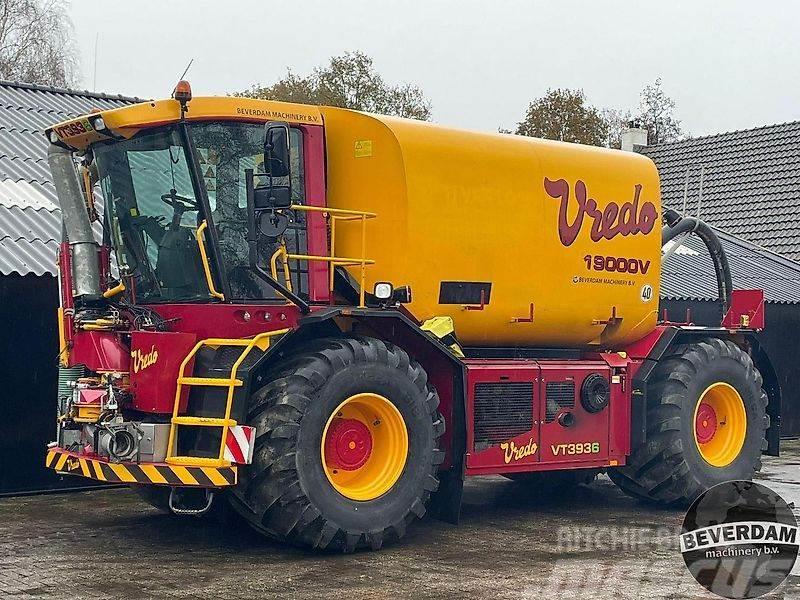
(564, 115)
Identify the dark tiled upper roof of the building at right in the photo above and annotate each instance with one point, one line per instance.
(751, 186)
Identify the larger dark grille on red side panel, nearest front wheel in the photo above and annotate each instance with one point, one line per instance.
(502, 410)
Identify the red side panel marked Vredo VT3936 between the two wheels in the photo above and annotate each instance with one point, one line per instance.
(528, 415)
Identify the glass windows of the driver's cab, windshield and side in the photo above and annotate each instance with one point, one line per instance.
(154, 211)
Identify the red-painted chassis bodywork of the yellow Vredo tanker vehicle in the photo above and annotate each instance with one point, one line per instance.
(541, 424)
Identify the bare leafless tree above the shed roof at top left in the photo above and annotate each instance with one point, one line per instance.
(36, 44)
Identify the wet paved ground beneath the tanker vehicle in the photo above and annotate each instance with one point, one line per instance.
(511, 543)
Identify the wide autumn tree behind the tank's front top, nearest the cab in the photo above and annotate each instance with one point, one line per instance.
(347, 81)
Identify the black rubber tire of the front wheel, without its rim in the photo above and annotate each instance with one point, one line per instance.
(285, 493)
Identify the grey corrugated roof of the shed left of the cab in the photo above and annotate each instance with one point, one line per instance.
(30, 222)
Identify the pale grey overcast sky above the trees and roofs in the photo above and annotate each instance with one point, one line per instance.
(728, 64)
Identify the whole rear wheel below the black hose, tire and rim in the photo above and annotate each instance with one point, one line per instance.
(706, 420)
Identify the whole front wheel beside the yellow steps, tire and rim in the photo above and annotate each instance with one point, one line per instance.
(346, 453)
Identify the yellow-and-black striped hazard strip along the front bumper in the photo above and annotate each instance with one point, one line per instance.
(70, 463)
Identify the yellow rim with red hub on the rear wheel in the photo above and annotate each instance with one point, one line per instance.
(720, 424)
